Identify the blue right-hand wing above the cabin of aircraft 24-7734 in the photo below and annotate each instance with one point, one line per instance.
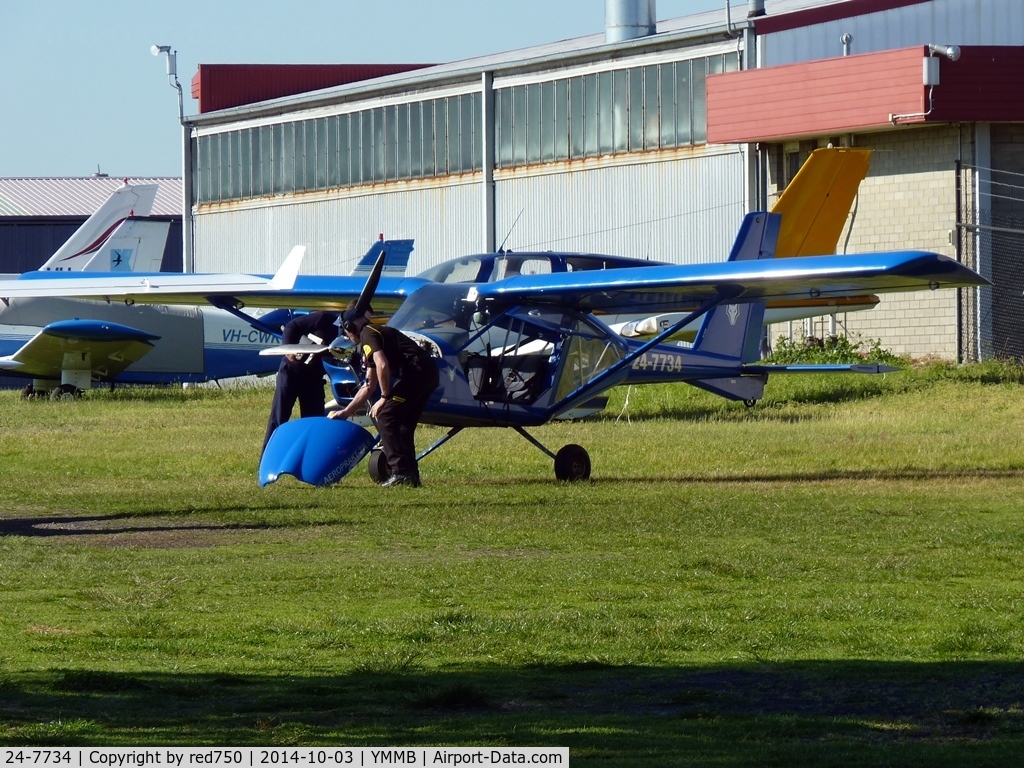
(674, 288)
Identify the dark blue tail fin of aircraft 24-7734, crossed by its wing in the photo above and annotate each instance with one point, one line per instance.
(735, 330)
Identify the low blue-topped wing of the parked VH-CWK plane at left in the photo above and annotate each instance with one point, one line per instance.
(107, 349)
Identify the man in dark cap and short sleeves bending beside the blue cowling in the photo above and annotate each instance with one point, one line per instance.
(406, 376)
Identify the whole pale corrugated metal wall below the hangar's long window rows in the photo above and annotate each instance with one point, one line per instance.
(685, 210)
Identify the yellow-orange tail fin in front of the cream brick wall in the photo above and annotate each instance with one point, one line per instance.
(816, 205)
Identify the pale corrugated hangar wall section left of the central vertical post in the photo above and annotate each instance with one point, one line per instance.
(445, 222)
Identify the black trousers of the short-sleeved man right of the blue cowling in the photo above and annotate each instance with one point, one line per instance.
(398, 417)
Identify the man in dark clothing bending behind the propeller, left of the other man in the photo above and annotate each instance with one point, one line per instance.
(301, 377)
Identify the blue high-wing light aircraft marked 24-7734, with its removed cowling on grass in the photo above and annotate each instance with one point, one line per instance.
(520, 352)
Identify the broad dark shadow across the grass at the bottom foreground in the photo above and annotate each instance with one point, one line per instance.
(836, 713)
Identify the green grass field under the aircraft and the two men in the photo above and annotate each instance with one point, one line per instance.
(832, 578)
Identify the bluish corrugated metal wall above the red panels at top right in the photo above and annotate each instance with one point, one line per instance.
(943, 22)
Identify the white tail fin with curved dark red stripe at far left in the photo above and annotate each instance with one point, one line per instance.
(94, 238)
